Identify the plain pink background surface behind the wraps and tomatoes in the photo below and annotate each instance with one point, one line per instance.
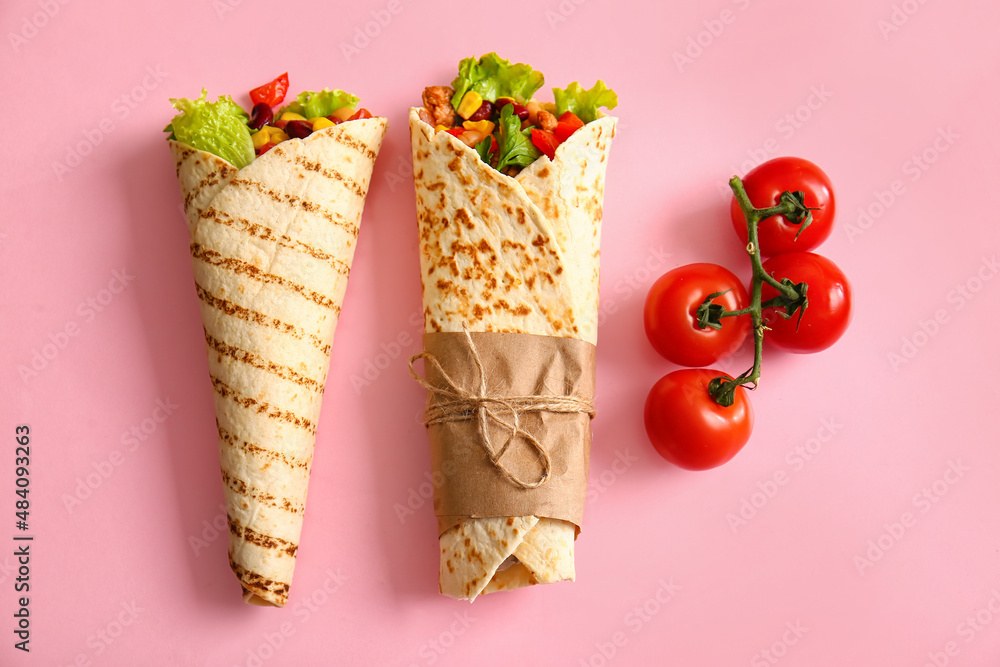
(663, 575)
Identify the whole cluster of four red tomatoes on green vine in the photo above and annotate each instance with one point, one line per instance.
(699, 418)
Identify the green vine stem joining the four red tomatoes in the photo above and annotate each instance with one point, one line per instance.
(723, 389)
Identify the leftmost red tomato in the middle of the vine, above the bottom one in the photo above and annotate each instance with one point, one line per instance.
(671, 317)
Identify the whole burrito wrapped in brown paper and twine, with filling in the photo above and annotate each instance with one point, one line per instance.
(509, 196)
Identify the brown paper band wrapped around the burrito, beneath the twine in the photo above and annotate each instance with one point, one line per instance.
(516, 364)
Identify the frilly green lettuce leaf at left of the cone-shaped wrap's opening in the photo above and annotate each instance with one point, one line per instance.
(219, 128)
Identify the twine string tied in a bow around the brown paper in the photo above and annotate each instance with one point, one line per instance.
(451, 403)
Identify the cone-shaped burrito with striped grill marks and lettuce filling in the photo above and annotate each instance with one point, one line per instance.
(273, 201)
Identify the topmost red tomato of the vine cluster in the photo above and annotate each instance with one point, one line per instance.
(764, 185)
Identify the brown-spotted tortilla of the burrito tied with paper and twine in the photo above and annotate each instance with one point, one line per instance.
(520, 255)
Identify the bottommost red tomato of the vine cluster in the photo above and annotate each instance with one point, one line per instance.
(688, 428)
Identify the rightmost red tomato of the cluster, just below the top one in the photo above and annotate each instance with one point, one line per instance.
(829, 302)
